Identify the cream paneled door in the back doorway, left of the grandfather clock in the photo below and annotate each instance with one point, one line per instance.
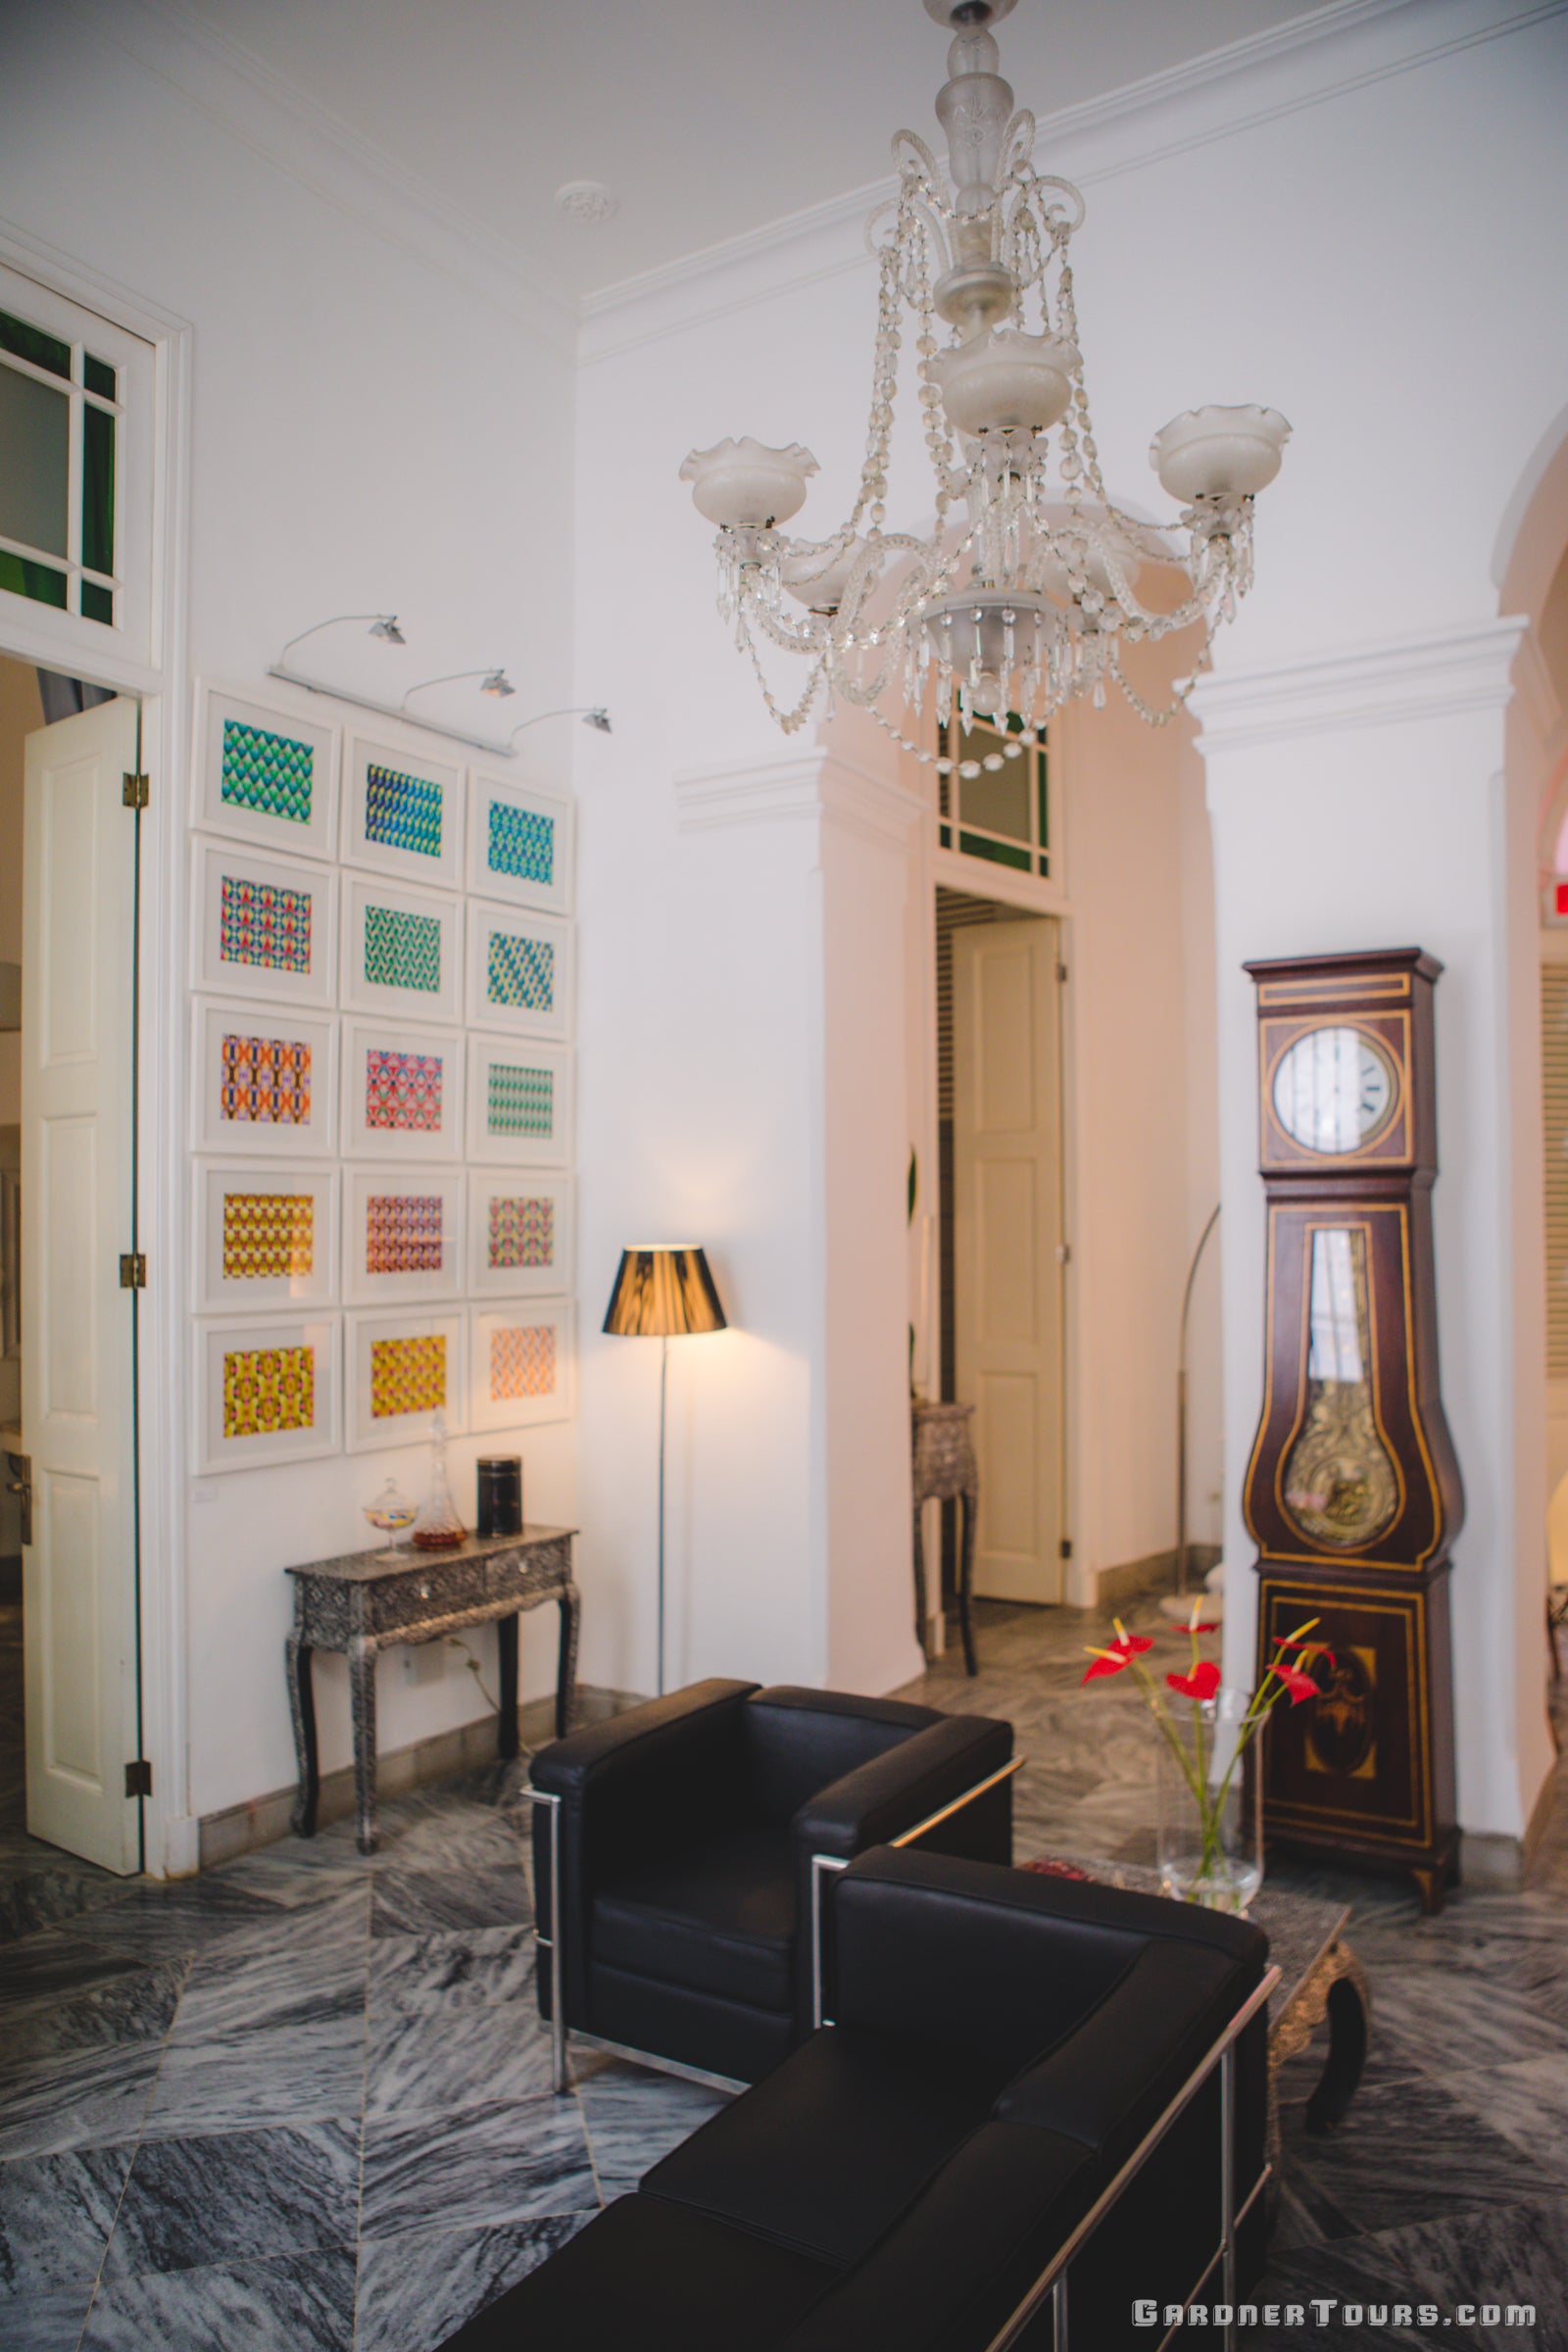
(1007, 1231)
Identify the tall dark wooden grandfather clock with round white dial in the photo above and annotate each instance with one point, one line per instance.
(1353, 1495)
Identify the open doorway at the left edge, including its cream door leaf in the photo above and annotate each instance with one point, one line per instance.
(69, 1532)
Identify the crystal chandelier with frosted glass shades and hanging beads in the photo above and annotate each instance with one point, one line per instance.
(1028, 584)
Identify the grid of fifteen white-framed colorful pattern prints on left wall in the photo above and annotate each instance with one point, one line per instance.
(382, 1093)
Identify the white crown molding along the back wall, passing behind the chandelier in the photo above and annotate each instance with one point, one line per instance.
(1167, 114)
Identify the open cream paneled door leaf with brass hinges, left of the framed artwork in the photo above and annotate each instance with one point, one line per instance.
(76, 1323)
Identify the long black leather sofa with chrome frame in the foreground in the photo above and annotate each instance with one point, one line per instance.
(909, 2174)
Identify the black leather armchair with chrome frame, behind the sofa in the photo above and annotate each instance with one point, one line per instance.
(685, 1857)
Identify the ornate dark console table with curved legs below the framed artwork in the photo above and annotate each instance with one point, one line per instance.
(363, 1603)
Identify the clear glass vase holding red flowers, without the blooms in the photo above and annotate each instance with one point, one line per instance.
(1212, 1803)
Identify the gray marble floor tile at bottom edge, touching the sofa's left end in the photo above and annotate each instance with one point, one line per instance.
(415, 2292)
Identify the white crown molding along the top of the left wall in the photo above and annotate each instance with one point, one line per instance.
(302, 138)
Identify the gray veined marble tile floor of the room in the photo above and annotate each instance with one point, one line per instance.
(304, 2099)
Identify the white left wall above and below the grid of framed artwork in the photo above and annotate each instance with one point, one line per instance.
(370, 432)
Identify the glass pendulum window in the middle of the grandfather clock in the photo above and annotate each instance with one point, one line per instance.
(1339, 1481)
